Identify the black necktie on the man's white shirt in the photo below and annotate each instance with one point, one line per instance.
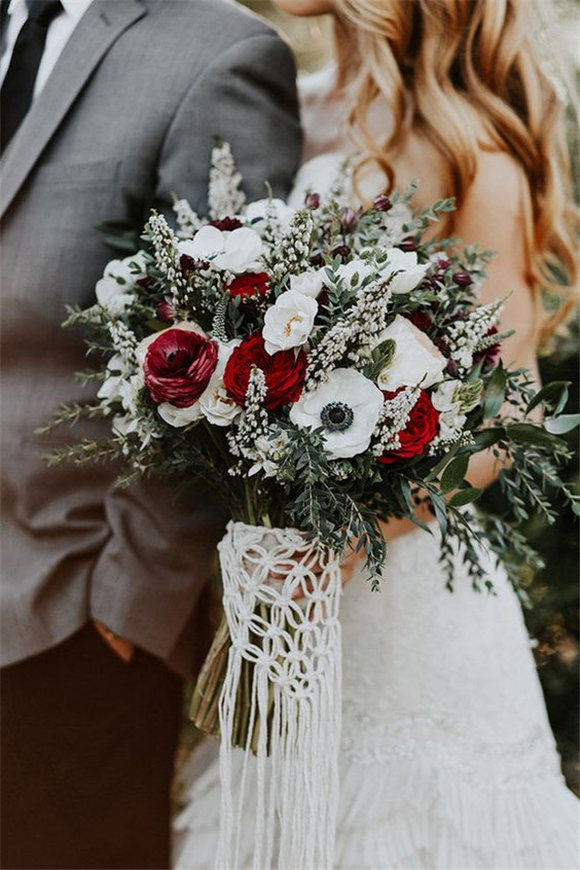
(18, 86)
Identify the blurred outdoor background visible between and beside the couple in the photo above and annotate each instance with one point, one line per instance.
(552, 615)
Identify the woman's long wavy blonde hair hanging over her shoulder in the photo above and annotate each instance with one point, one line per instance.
(432, 60)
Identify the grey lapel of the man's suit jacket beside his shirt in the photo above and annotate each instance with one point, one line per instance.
(94, 35)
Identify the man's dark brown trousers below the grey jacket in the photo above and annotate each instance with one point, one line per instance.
(88, 747)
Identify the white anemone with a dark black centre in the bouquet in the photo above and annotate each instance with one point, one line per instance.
(347, 406)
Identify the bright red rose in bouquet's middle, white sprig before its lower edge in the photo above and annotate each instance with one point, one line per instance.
(285, 372)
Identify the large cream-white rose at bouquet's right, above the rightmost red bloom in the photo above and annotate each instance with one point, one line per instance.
(416, 359)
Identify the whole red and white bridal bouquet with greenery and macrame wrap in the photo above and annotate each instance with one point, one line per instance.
(324, 369)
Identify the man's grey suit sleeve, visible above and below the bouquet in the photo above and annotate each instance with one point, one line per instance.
(159, 549)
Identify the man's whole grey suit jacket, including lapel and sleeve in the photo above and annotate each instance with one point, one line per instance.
(134, 103)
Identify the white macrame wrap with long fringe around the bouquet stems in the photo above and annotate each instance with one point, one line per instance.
(282, 615)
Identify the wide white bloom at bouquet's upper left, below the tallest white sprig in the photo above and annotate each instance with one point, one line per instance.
(236, 251)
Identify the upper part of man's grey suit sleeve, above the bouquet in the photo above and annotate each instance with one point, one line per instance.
(246, 97)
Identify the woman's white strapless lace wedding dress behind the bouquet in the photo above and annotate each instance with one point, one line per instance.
(447, 757)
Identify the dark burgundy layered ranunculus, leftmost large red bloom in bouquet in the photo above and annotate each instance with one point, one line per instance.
(178, 366)
